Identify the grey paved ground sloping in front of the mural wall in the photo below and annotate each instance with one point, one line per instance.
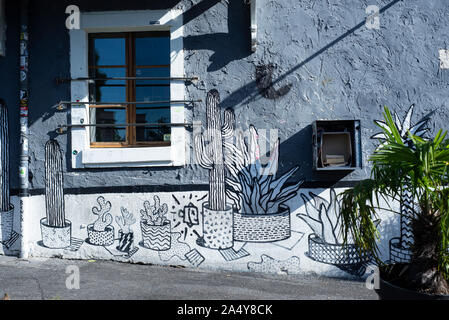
(46, 280)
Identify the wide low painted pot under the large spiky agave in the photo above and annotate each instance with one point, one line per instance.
(263, 228)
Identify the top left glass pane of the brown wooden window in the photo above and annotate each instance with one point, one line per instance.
(109, 51)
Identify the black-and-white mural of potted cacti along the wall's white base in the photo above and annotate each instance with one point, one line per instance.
(251, 218)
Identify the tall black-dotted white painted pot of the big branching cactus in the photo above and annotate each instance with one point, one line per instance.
(217, 228)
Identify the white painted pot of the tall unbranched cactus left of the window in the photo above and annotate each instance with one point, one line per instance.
(56, 237)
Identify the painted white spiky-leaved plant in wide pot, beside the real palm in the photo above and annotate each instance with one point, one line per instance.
(326, 241)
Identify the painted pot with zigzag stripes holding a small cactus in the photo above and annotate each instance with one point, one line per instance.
(156, 238)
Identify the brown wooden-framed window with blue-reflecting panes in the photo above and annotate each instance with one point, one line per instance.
(127, 56)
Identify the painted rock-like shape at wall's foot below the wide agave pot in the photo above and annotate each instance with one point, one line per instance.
(270, 265)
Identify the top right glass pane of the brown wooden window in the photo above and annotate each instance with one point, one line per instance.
(153, 50)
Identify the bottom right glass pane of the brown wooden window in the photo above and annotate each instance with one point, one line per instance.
(153, 115)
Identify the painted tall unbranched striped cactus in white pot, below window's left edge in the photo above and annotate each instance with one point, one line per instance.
(56, 230)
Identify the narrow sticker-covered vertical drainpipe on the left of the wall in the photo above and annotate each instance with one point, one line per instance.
(24, 131)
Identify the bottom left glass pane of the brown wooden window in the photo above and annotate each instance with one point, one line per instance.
(108, 116)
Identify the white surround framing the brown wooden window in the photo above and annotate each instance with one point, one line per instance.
(83, 156)
